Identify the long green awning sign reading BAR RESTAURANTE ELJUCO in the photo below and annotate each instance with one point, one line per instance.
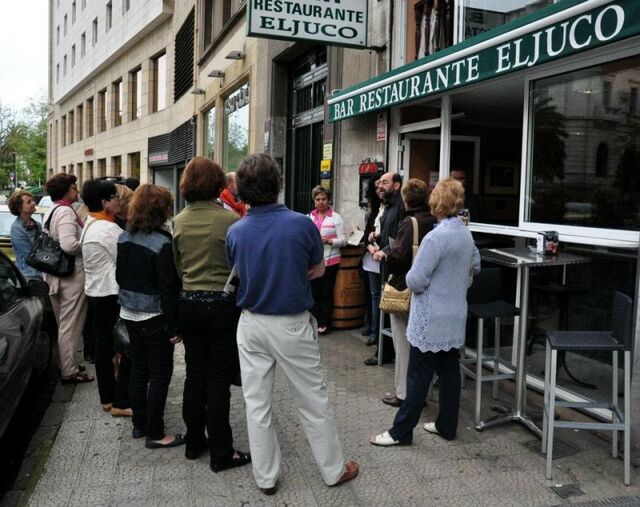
(519, 45)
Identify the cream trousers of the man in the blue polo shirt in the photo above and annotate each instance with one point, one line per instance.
(290, 342)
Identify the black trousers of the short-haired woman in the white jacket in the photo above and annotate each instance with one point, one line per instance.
(104, 313)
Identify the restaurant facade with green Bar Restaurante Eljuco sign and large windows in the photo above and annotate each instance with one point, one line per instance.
(536, 104)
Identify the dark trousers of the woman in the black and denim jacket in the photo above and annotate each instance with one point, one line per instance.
(151, 370)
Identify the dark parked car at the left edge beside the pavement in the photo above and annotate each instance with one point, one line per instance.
(25, 349)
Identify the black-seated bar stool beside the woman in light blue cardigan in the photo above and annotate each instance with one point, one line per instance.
(484, 302)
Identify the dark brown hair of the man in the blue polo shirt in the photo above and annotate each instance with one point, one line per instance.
(259, 180)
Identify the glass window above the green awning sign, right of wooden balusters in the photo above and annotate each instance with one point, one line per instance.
(482, 15)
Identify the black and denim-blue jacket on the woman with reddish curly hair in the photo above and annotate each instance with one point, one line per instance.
(147, 276)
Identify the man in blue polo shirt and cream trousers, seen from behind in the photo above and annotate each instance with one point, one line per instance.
(276, 252)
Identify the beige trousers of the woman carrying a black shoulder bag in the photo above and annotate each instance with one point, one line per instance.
(70, 308)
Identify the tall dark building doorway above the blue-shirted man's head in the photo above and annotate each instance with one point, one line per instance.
(308, 83)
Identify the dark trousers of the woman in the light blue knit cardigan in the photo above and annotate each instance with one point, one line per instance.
(422, 365)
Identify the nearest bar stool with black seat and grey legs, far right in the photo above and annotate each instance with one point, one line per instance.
(614, 341)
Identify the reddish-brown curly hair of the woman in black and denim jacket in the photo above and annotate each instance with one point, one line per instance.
(149, 209)
